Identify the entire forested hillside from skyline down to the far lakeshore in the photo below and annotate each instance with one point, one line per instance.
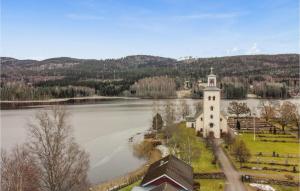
(269, 75)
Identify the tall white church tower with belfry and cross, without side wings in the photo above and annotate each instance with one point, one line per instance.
(211, 108)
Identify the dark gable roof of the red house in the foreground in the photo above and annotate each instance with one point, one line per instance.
(174, 168)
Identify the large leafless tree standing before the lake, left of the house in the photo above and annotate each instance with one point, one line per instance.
(63, 164)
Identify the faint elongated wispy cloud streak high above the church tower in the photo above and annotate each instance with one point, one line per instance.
(207, 16)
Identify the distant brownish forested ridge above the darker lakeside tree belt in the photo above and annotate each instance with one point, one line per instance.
(140, 66)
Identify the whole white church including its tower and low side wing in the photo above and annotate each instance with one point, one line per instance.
(211, 122)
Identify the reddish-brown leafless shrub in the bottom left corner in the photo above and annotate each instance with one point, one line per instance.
(19, 171)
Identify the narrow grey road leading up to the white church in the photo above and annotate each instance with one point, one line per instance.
(233, 178)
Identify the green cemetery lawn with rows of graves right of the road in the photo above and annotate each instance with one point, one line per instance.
(278, 165)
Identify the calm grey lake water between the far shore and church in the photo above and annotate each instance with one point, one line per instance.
(101, 129)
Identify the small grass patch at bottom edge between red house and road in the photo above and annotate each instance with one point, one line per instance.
(211, 184)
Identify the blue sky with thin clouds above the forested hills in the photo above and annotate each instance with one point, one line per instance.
(100, 29)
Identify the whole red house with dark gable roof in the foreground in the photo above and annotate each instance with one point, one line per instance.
(168, 174)
